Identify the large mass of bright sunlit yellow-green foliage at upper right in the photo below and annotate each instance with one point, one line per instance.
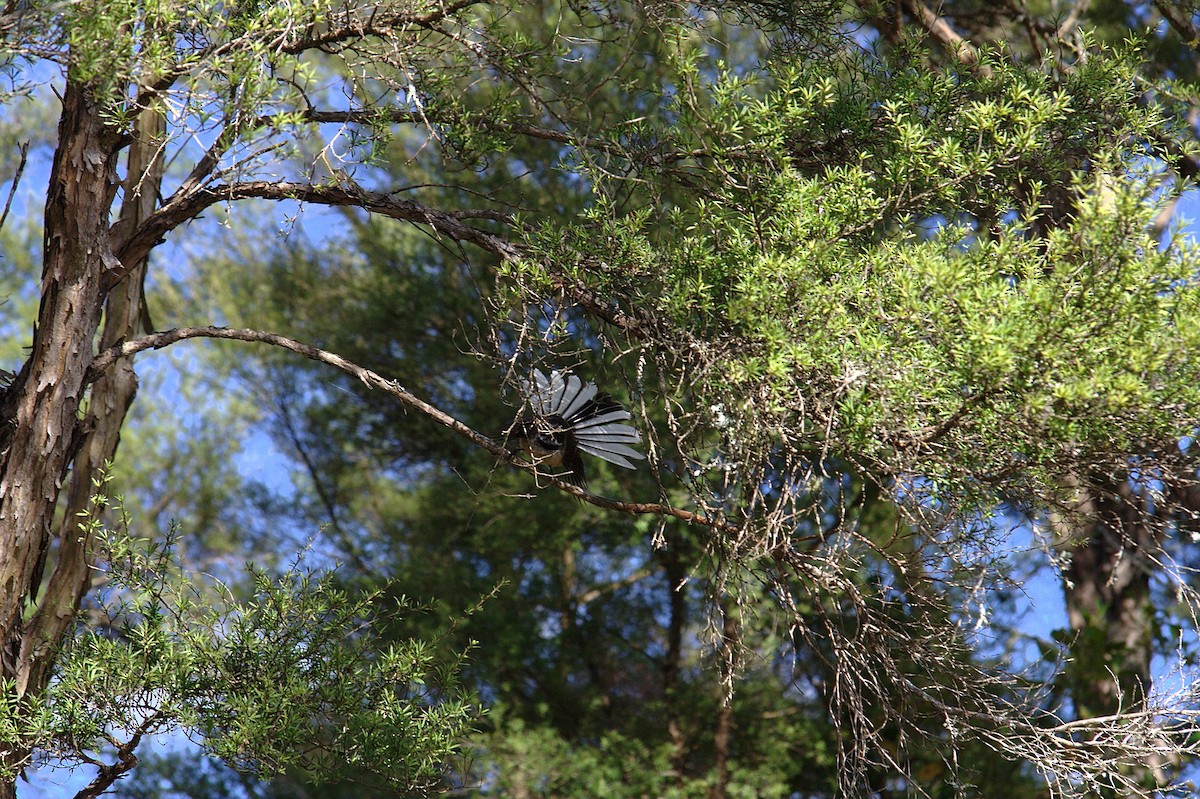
(961, 352)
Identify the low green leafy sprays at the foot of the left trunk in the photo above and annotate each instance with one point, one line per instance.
(295, 676)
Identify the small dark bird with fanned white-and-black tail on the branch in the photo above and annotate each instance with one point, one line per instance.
(571, 416)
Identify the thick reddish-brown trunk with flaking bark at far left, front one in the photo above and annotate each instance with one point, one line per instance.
(43, 406)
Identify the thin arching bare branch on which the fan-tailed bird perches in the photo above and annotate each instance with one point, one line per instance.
(374, 381)
